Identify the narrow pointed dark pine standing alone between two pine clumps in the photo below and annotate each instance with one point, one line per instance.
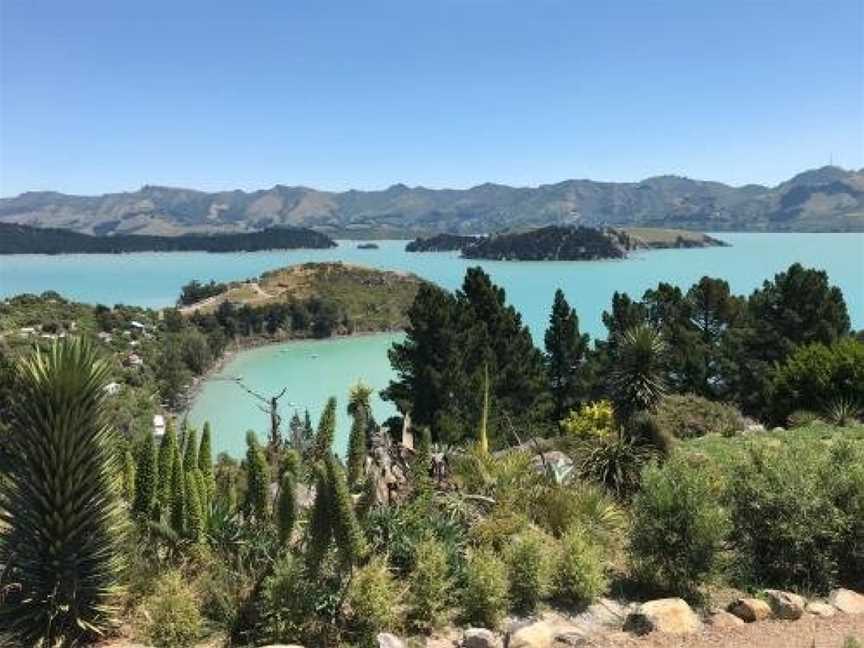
(565, 354)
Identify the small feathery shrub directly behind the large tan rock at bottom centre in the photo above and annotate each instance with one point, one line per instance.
(529, 570)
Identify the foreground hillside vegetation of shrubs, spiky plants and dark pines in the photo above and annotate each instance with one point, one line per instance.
(531, 479)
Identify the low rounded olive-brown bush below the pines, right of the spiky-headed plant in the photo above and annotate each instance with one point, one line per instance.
(687, 415)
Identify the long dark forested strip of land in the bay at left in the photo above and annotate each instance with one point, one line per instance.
(23, 239)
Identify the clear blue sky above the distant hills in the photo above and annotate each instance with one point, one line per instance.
(111, 95)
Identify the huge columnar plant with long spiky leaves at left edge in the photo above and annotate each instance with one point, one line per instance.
(62, 519)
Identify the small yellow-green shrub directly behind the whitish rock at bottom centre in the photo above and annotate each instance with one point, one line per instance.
(484, 596)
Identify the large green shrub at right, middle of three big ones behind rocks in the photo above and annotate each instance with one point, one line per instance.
(786, 528)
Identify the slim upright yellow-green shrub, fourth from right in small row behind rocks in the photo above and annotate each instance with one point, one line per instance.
(428, 584)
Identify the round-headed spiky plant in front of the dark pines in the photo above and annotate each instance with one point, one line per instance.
(637, 382)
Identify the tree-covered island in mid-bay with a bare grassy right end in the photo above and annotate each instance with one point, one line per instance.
(563, 243)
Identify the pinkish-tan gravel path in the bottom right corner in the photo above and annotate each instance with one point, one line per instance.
(810, 632)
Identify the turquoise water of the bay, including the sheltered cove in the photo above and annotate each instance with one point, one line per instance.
(315, 370)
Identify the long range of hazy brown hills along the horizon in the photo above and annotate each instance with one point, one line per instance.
(826, 199)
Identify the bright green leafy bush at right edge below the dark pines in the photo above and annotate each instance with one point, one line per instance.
(815, 376)
